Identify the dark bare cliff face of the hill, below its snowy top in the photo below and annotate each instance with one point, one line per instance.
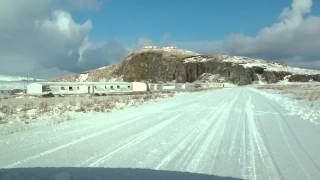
(157, 67)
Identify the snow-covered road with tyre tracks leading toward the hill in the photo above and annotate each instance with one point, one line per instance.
(228, 132)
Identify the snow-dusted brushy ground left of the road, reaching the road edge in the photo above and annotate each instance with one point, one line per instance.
(26, 112)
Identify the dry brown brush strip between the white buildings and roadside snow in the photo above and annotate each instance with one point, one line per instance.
(30, 109)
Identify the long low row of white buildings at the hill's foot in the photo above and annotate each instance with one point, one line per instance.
(101, 88)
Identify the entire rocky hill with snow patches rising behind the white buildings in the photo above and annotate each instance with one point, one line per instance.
(159, 65)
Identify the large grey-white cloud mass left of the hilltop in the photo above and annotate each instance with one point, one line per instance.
(40, 38)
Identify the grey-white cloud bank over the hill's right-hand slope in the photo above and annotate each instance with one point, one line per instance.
(293, 39)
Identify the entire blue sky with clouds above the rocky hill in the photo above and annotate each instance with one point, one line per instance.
(50, 38)
